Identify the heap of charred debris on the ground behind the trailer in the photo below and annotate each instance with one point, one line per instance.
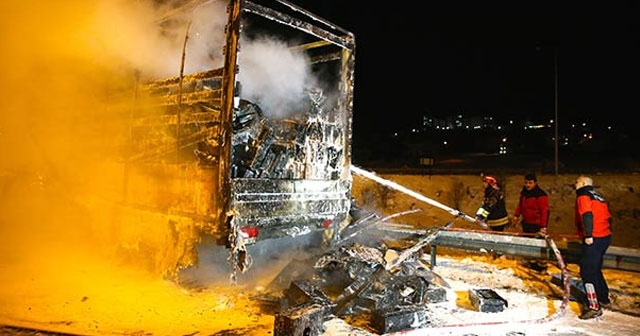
(352, 281)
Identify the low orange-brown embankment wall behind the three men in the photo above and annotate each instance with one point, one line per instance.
(464, 193)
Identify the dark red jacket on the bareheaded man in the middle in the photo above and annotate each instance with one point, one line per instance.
(533, 206)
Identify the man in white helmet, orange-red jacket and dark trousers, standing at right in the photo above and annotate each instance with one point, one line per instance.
(593, 223)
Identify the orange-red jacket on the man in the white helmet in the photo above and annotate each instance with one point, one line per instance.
(592, 218)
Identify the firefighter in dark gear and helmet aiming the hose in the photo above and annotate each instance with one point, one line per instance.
(493, 210)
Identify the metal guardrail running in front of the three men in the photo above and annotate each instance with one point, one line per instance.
(528, 246)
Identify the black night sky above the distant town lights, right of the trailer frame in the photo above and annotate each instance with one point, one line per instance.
(489, 60)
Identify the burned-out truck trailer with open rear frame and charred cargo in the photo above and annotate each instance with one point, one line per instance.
(255, 149)
